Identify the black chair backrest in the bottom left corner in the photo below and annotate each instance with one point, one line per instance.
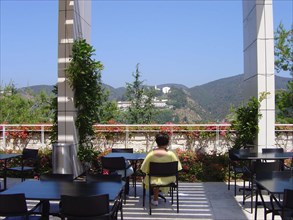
(13, 205)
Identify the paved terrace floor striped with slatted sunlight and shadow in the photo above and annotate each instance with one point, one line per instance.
(202, 201)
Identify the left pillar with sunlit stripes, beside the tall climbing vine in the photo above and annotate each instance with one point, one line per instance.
(73, 23)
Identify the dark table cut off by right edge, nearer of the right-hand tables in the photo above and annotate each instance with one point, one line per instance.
(274, 183)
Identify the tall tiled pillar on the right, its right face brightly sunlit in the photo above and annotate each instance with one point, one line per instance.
(259, 64)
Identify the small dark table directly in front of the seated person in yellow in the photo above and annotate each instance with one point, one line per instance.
(134, 158)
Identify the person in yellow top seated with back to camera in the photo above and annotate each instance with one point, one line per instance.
(161, 154)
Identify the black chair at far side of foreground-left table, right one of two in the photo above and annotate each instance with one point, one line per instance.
(118, 203)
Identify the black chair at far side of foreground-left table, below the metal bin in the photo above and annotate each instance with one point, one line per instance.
(53, 207)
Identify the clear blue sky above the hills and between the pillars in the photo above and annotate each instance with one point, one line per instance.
(186, 42)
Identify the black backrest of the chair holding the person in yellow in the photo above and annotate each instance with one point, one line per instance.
(163, 169)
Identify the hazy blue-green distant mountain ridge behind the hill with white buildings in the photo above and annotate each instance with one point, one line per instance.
(208, 102)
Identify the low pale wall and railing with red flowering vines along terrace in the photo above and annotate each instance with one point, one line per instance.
(208, 137)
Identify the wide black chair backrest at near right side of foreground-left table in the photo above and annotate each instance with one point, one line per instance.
(83, 207)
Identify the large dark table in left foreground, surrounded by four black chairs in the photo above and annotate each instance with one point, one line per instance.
(52, 190)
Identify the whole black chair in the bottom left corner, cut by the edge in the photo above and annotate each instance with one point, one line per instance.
(14, 206)
